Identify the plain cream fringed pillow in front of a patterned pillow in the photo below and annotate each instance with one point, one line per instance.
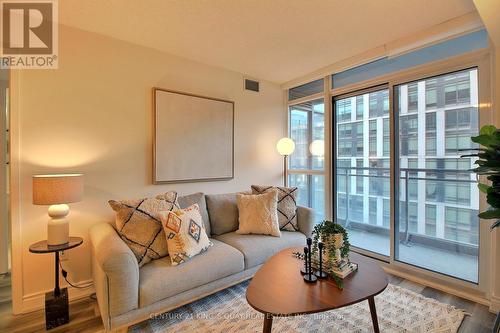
(258, 214)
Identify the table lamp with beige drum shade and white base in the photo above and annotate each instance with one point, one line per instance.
(57, 191)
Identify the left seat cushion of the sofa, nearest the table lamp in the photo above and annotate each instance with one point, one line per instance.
(159, 279)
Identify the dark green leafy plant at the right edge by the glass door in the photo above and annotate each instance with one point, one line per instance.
(488, 164)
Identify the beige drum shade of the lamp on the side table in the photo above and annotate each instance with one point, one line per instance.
(57, 189)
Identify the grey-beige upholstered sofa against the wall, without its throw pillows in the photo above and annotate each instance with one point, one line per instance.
(128, 294)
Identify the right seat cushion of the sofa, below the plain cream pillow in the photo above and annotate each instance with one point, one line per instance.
(258, 248)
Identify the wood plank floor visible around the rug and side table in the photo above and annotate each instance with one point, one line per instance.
(83, 318)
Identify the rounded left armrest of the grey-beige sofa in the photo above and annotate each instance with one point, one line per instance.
(115, 271)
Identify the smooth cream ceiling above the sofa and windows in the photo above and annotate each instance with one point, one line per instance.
(274, 40)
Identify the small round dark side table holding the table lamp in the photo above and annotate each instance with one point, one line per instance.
(56, 302)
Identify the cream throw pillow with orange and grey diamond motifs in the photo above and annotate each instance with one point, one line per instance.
(185, 232)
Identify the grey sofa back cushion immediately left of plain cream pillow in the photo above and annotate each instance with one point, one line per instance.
(223, 212)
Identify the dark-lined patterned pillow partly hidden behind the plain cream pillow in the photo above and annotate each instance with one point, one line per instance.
(287, 205)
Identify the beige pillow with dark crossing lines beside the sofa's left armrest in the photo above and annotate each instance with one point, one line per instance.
(139, 225)
